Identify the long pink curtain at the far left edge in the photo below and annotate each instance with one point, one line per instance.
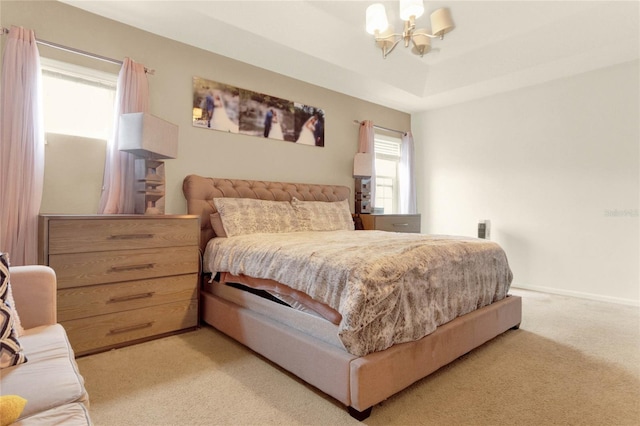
(21, 147)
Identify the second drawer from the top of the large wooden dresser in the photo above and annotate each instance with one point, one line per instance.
(80, 269)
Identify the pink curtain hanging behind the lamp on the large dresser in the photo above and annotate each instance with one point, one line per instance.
(132, 95)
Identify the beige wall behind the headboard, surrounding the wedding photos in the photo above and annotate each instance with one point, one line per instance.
(201, 151)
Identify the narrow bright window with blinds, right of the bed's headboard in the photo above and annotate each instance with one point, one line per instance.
(387, 151)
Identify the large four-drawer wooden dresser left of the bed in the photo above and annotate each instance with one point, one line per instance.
(122, 278)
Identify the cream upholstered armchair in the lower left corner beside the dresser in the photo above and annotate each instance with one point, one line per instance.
(49, 381)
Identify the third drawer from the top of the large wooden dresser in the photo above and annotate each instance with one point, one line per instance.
(82, 302)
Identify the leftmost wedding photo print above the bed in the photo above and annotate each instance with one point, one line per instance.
(215, 105)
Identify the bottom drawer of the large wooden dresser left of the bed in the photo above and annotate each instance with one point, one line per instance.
(100, 332)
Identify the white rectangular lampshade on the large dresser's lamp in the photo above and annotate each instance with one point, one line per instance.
(147, 136)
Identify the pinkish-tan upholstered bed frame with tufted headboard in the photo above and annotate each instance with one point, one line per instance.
(357, 382)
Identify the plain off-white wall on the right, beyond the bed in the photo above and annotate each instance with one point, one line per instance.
(556, 168)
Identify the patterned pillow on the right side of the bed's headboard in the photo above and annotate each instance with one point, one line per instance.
(324, 216)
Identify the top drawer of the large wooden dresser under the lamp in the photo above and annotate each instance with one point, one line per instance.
(89, 235)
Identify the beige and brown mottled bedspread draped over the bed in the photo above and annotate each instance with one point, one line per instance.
(389, 287)
